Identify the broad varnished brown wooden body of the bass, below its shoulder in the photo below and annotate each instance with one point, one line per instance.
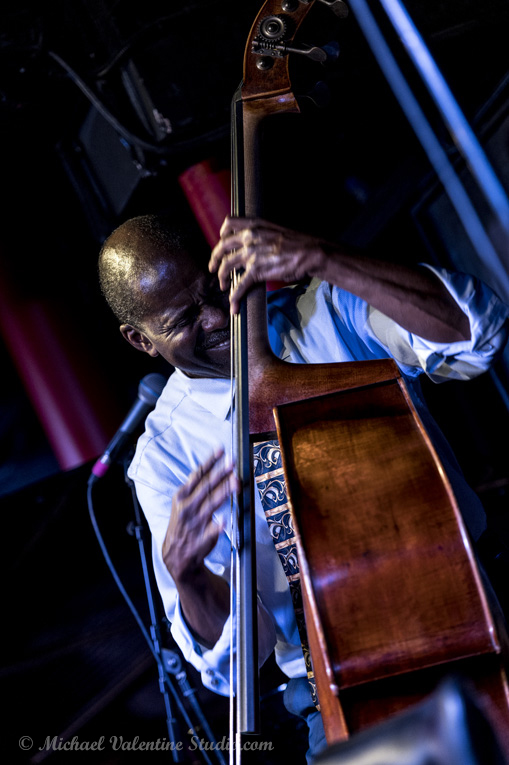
(394, 598)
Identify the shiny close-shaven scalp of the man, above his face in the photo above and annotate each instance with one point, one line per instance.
(137, 258)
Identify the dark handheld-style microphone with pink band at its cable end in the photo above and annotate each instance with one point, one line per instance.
(149, 390)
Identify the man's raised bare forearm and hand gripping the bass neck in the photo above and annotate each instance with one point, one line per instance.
(413, 297)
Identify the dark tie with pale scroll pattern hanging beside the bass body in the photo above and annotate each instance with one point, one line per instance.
(270, 481)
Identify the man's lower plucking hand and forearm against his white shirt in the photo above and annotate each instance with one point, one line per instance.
(190, 537)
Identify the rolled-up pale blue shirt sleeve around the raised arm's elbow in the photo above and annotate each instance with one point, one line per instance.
(487, 316)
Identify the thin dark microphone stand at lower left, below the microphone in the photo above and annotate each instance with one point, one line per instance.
(167, 661)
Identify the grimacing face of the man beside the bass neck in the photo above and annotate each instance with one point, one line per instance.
(189, 325)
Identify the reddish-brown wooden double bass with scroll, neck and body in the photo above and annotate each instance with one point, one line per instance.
(394, 597)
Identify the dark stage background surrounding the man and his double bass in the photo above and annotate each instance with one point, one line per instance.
(103, 106)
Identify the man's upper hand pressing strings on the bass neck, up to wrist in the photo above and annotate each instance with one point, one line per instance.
(265, 252)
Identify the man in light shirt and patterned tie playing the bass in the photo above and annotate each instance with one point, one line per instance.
(343, 307)
